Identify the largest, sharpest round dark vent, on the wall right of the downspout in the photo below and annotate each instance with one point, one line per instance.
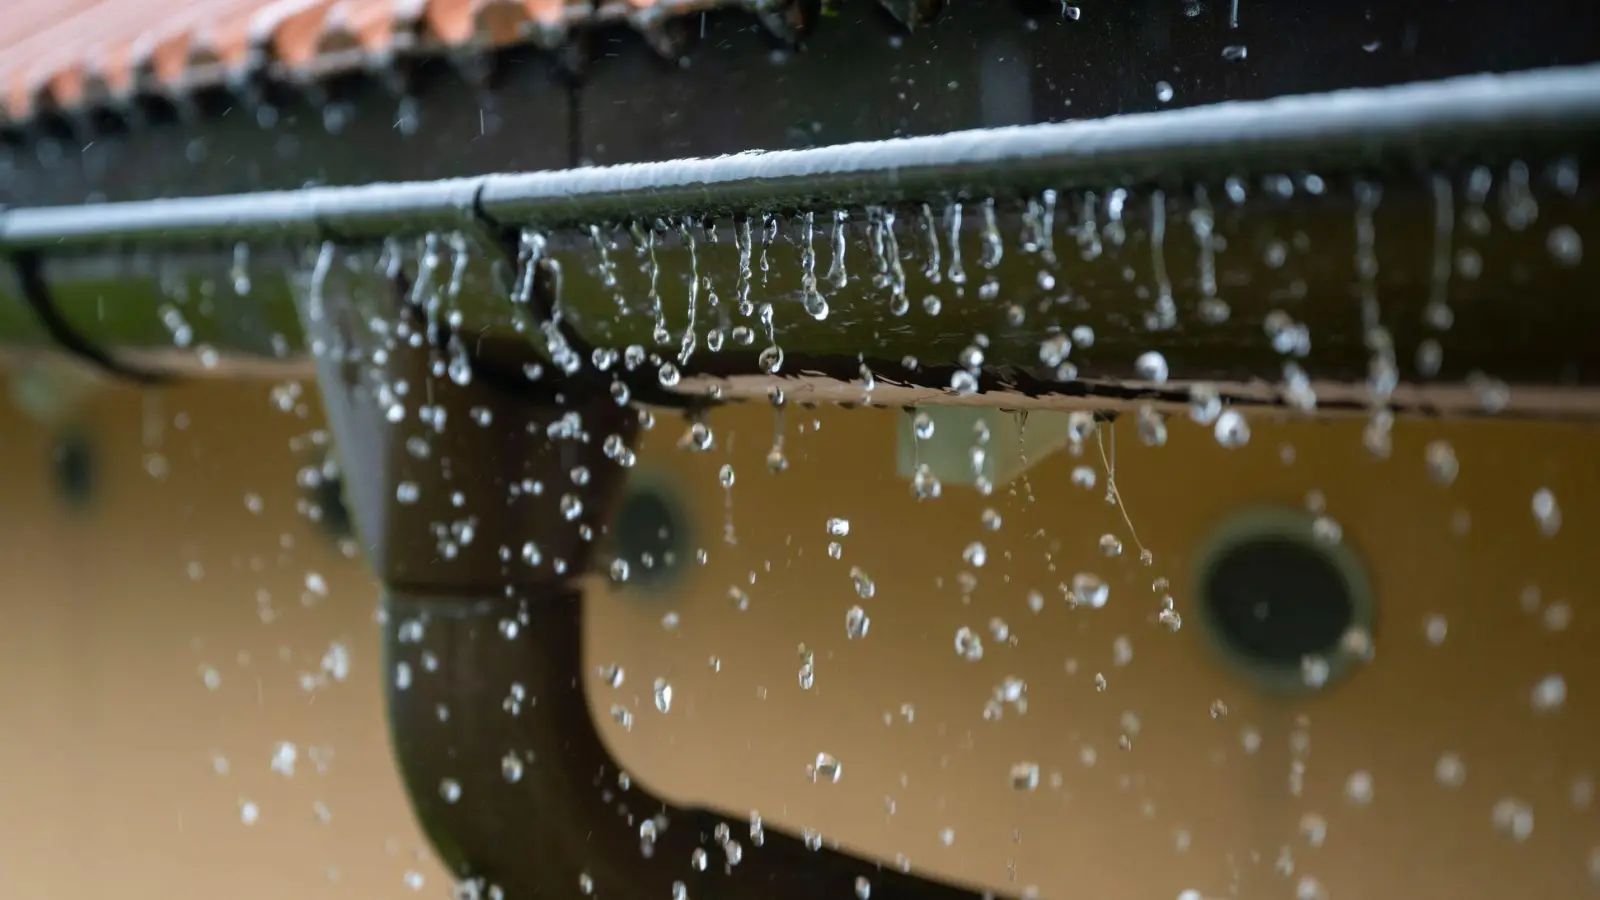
(1274, 597)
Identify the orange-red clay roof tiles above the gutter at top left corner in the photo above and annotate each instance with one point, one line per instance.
(66, 54)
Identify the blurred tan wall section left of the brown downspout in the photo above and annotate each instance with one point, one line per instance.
(122, 774)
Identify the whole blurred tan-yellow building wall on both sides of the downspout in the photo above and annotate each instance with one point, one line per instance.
(116, 614)
